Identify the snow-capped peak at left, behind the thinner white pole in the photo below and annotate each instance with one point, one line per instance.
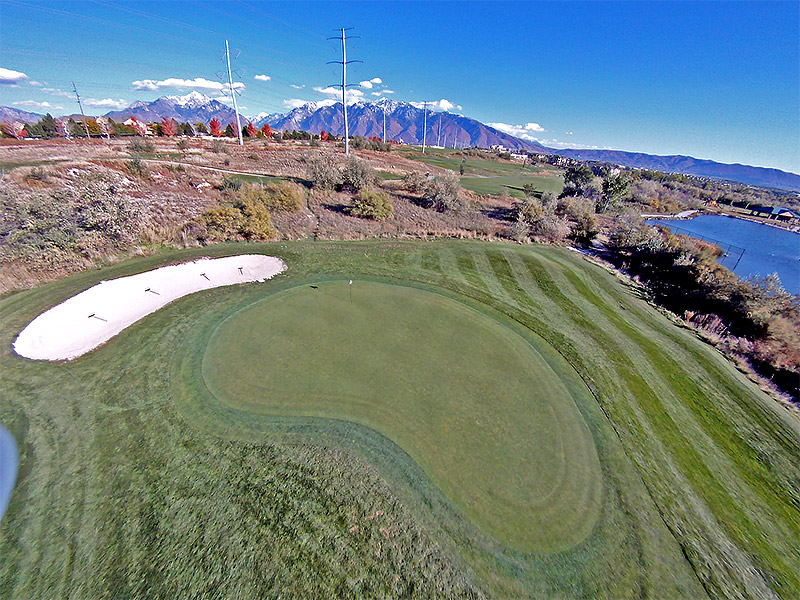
(191, 108)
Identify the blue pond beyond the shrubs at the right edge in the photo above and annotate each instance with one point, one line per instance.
(767, 249)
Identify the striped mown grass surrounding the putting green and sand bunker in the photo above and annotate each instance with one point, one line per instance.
(132, 485)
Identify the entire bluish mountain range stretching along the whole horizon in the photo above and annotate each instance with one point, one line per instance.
(409, 123)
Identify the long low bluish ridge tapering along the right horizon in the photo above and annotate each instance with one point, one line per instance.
(688, 165)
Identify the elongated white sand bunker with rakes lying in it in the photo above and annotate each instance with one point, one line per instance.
(94, 316)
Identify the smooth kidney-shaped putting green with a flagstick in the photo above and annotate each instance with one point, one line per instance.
(486, 412)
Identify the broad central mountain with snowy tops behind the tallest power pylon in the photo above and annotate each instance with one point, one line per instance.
(404, 122)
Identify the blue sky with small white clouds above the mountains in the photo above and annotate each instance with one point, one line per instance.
(712, 80)
